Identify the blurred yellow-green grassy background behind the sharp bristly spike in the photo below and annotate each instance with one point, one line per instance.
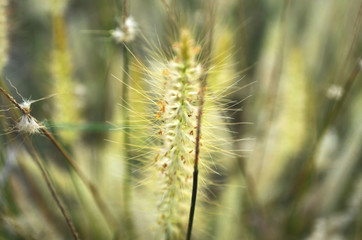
(293, 95)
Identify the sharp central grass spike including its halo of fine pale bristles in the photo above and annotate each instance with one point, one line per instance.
(175, 97)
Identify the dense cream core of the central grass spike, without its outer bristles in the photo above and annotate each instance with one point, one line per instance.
(178, 115)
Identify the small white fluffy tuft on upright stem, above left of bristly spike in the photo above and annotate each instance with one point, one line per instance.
(127, 33)
